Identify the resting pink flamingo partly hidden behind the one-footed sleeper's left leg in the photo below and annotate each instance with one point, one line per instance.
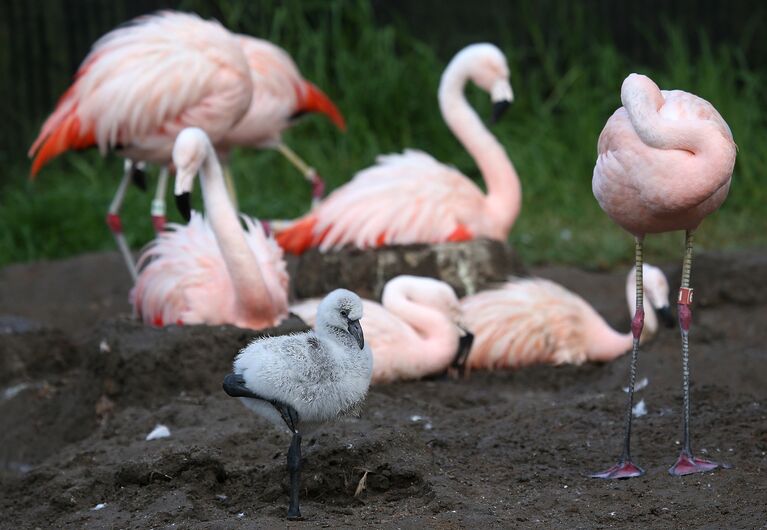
(536, 321)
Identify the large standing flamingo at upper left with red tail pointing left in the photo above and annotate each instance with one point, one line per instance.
(139, 86)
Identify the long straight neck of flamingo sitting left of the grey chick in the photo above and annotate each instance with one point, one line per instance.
(250, 289)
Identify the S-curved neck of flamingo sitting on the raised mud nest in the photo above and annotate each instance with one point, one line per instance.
(504, 194)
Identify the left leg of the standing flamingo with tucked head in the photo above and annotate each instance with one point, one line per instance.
(625, 468)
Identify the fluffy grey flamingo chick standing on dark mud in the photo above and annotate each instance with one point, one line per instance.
(306, 379)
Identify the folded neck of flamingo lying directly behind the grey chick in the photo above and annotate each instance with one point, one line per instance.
(435, 330)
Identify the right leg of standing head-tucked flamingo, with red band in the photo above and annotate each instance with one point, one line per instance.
(687, 463)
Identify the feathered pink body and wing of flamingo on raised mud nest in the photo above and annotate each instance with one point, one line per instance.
(405, 198)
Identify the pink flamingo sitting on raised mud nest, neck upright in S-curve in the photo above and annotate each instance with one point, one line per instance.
(412, 198)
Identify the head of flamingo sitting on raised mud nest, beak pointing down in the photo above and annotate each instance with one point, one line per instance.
(489, 70)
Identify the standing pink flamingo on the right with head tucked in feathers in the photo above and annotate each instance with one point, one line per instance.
(665, 162)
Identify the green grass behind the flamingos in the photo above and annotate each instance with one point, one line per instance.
(385, 82)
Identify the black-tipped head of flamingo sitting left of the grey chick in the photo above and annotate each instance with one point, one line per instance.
(191, 149)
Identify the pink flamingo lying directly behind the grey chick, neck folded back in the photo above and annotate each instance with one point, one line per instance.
(413, 333)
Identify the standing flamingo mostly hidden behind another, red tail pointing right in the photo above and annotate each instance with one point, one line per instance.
(280, 95)
